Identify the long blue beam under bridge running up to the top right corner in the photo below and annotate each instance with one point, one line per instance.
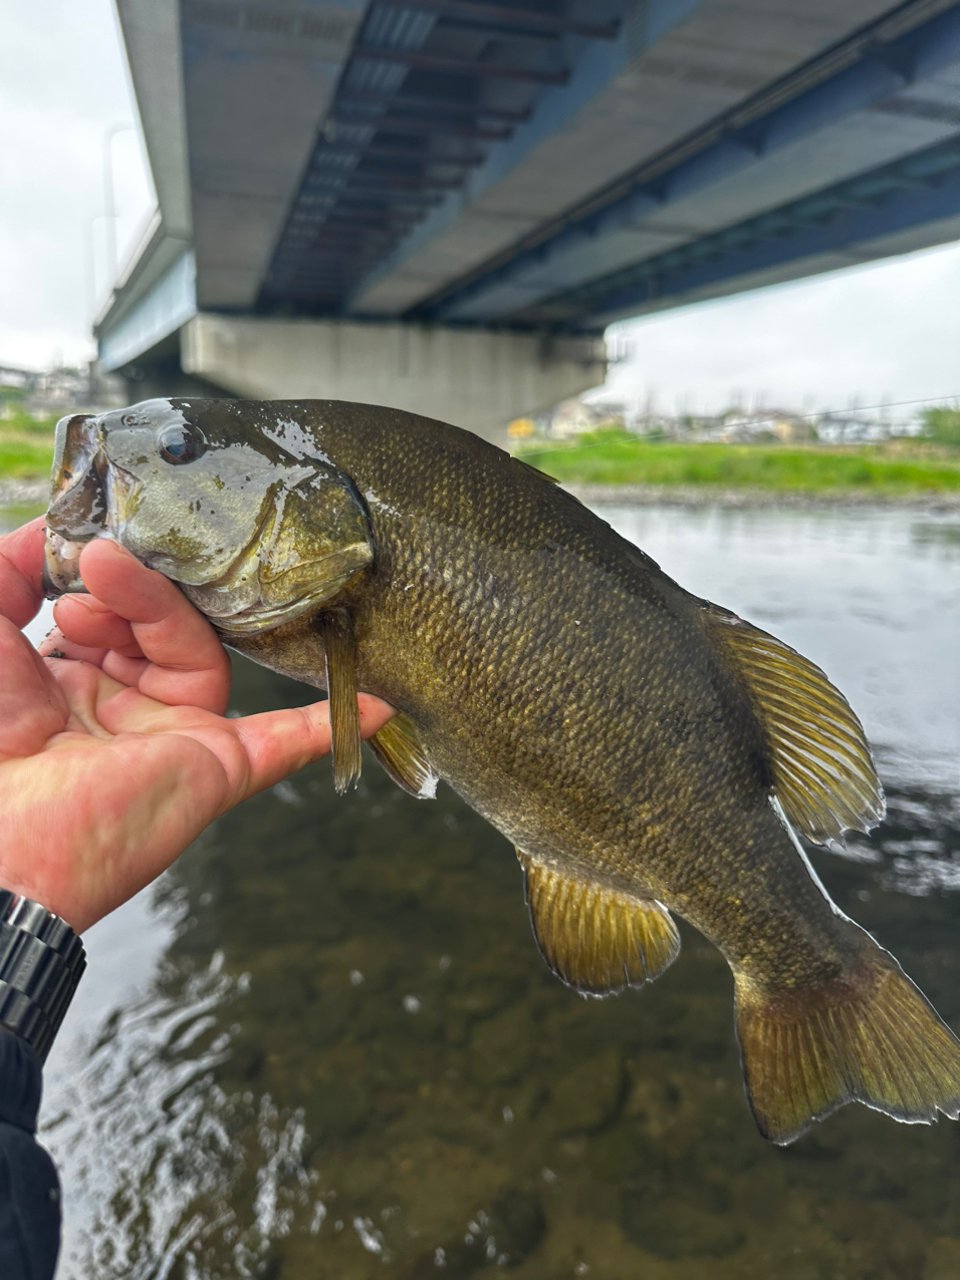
(600, 241)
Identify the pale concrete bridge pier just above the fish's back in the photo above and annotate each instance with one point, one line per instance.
(474, 378)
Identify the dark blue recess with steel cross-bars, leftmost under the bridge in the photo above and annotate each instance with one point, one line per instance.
(446, 60)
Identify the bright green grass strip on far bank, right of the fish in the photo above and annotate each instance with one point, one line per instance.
(620, 459)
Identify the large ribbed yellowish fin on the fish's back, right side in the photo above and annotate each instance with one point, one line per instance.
(824, 774)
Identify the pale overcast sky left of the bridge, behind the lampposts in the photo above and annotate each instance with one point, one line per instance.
(63, 84)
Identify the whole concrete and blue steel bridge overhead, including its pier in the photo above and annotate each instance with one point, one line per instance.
(442, 205)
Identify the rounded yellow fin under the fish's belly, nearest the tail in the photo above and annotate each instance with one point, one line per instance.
(597, 939)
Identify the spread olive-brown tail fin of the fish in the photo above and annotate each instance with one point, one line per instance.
(866, 1036)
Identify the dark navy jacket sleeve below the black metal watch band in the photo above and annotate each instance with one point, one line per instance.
(30, 1190)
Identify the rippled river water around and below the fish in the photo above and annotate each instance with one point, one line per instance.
(350, 1062)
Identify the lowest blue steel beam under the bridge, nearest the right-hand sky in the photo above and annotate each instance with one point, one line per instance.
(921, 190)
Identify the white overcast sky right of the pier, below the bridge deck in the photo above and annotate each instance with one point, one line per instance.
(885, 331)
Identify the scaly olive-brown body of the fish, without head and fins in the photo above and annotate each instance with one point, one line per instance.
(625, 746)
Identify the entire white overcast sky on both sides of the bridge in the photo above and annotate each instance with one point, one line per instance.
(889, 332)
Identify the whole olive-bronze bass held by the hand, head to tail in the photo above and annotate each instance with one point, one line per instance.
(650, 755)
